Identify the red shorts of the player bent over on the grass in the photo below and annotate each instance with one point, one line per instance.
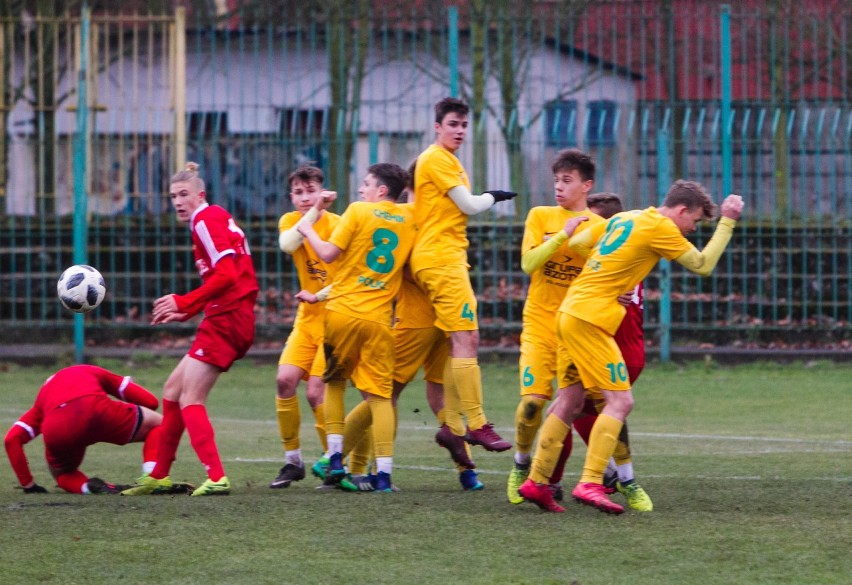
(84, 421)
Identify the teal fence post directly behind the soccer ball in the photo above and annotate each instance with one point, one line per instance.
(81, 144)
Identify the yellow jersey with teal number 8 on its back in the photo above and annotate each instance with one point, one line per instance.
(376, 240)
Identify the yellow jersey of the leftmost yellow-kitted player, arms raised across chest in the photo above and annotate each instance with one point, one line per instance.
(313, 273)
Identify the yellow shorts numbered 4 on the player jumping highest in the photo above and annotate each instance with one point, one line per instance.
(452, 297)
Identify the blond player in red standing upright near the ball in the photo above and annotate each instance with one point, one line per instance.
(227, 295)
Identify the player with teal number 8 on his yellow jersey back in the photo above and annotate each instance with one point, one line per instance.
(371, 245)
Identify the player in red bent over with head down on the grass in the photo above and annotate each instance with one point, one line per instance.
(73, 410)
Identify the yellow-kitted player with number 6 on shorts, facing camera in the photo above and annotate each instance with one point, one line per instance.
(552, 267)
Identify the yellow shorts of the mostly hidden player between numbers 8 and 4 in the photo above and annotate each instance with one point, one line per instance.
(428, 347)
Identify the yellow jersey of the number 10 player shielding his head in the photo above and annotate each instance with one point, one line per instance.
(626, 249)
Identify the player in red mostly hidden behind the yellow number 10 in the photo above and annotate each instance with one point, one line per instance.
(630, 338)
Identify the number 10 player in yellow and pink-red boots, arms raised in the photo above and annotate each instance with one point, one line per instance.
(620, 254)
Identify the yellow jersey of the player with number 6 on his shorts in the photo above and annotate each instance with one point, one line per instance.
(549, 283)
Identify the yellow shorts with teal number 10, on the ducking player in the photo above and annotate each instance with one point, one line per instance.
(591, 352)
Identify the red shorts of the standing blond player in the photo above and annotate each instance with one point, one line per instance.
(224, 338)
